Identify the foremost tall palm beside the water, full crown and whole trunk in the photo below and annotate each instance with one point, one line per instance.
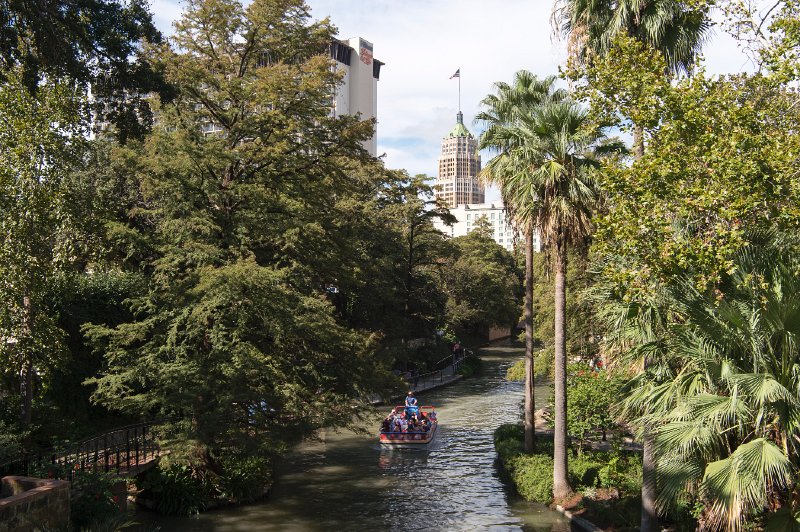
(545, 172)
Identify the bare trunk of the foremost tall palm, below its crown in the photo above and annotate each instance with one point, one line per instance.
(561, 487)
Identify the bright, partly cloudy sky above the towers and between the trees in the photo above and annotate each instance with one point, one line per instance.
(423, 43)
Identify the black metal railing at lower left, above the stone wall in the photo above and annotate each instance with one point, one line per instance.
(119, 451)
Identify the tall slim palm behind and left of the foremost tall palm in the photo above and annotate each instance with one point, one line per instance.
(502, 112)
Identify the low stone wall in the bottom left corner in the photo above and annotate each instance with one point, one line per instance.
(30, 503)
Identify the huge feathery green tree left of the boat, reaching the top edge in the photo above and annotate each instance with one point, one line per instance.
(236, 339)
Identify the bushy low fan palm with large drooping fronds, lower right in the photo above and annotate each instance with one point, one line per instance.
(722, 396)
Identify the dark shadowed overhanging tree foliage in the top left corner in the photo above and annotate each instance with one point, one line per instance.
(88, 41)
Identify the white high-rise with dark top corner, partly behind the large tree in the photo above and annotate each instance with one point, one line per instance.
(358, 92)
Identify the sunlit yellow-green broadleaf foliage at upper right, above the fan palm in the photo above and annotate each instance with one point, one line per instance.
(719, 160)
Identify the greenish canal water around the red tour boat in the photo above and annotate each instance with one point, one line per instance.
(346, 481)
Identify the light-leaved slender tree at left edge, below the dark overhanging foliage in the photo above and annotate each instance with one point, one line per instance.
(41, 139)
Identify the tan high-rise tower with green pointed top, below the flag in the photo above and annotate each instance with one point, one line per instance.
(459, 164)
